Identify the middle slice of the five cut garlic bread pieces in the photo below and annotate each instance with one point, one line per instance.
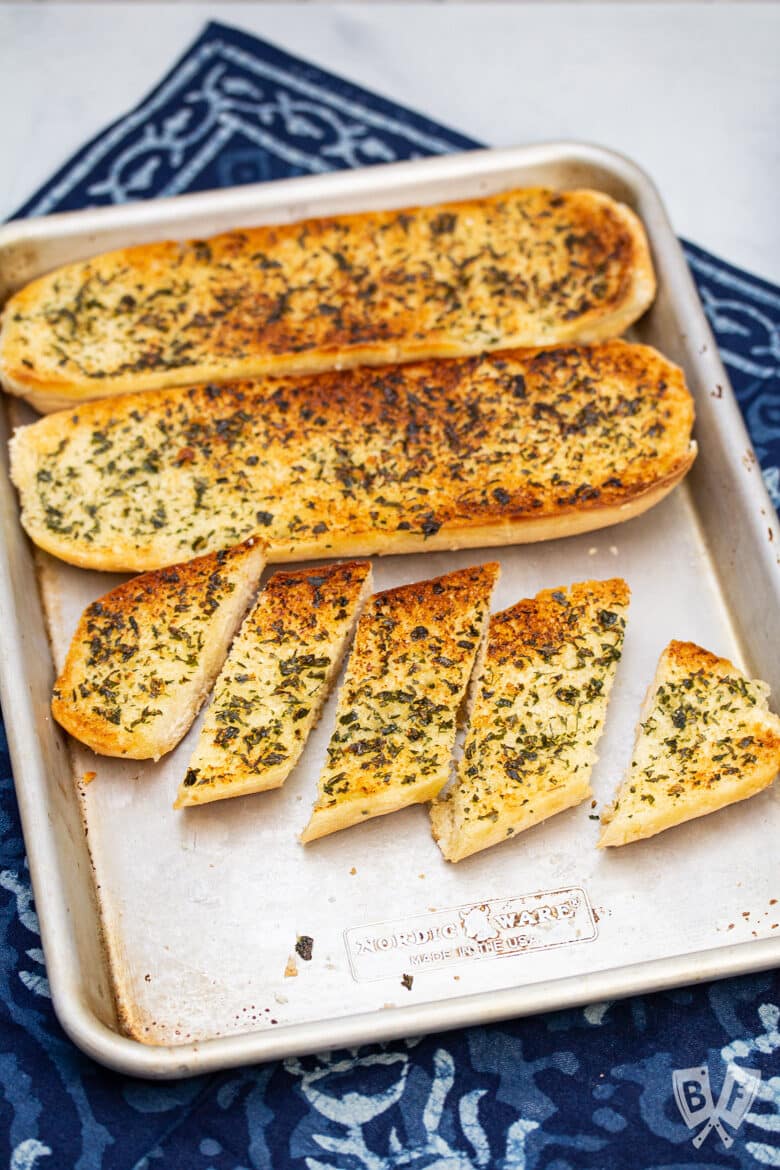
(397, 718)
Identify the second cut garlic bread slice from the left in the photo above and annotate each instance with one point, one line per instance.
(272, 690)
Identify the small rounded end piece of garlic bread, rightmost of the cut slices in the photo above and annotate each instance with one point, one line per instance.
(706, 740)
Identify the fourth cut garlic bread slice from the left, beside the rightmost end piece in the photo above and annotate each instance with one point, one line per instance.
(539, 708)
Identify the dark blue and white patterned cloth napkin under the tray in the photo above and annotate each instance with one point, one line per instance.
(586, 1089)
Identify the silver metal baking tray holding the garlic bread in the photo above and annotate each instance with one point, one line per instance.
(169, 937)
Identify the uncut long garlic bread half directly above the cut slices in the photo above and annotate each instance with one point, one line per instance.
(524, 445)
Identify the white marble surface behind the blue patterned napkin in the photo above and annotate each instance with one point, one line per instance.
(692, 92)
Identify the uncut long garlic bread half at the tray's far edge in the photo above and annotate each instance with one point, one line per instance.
(530, 267)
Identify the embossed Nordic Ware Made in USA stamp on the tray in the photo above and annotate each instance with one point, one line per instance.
(501, 927)
